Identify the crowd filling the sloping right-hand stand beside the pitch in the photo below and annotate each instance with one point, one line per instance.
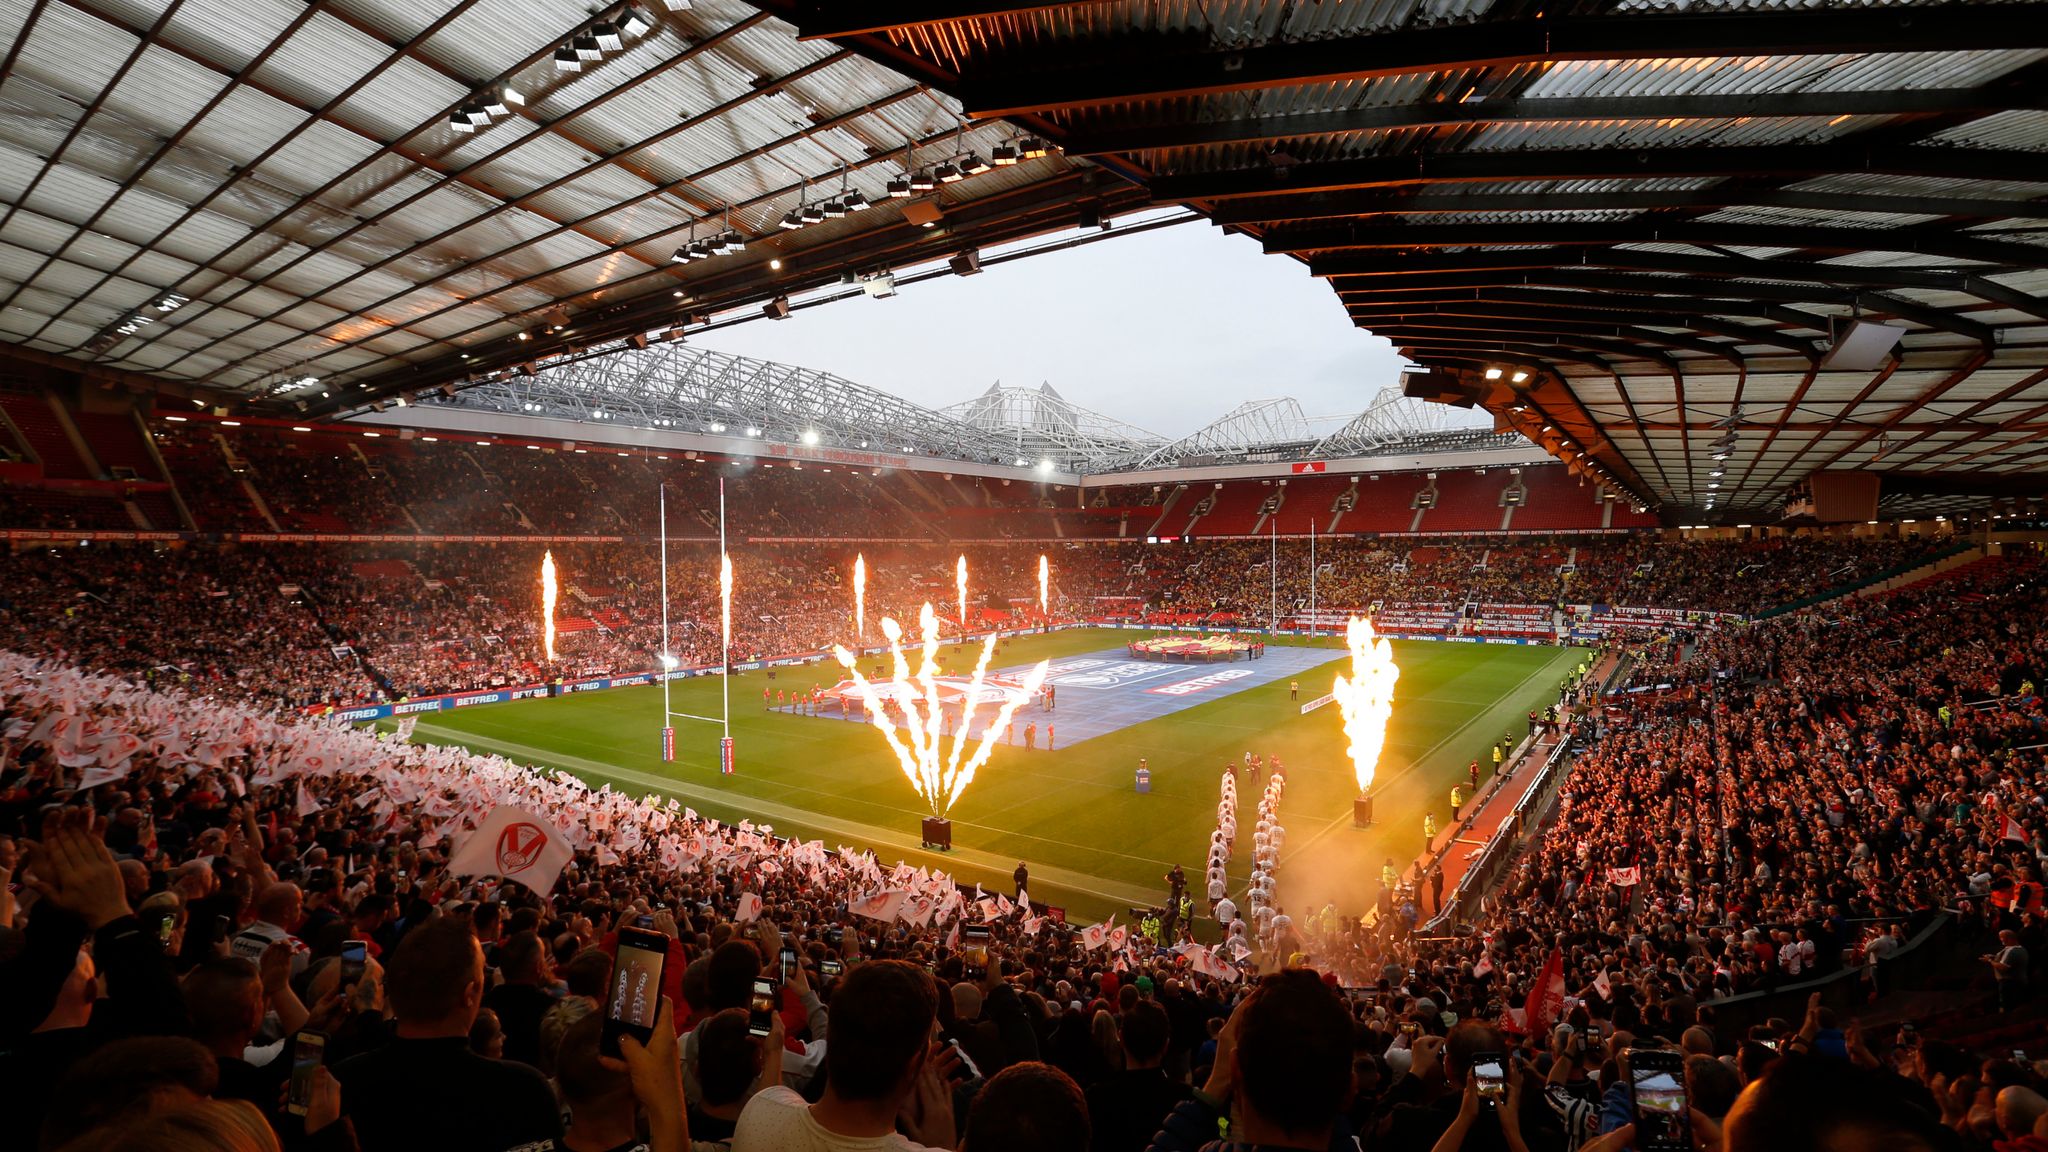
(1779, 803)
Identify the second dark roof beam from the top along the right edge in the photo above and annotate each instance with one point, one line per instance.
(1537, 110)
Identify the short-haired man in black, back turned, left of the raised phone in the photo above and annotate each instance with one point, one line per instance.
(400, 1096)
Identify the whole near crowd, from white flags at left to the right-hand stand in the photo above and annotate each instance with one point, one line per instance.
(220, 930)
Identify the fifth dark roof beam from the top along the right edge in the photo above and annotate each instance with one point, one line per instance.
(1949, 245)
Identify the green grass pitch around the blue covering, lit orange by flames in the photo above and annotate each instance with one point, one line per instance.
(1093, 841)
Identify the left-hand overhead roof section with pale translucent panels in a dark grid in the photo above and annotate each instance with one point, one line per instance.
(382, 196)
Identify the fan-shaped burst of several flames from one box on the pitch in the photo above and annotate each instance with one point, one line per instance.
(937, 772)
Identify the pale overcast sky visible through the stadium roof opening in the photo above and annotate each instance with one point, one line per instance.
(1166, 329)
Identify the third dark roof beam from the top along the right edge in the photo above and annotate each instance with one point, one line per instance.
(1789, 161)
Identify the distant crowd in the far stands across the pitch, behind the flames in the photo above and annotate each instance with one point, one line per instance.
(323, 624)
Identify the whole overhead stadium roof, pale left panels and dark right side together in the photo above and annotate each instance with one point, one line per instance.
(1662, 218)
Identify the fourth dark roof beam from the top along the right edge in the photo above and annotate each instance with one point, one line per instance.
(1357, 204)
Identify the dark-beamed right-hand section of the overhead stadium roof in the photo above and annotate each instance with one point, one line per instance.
(1662, 214)
